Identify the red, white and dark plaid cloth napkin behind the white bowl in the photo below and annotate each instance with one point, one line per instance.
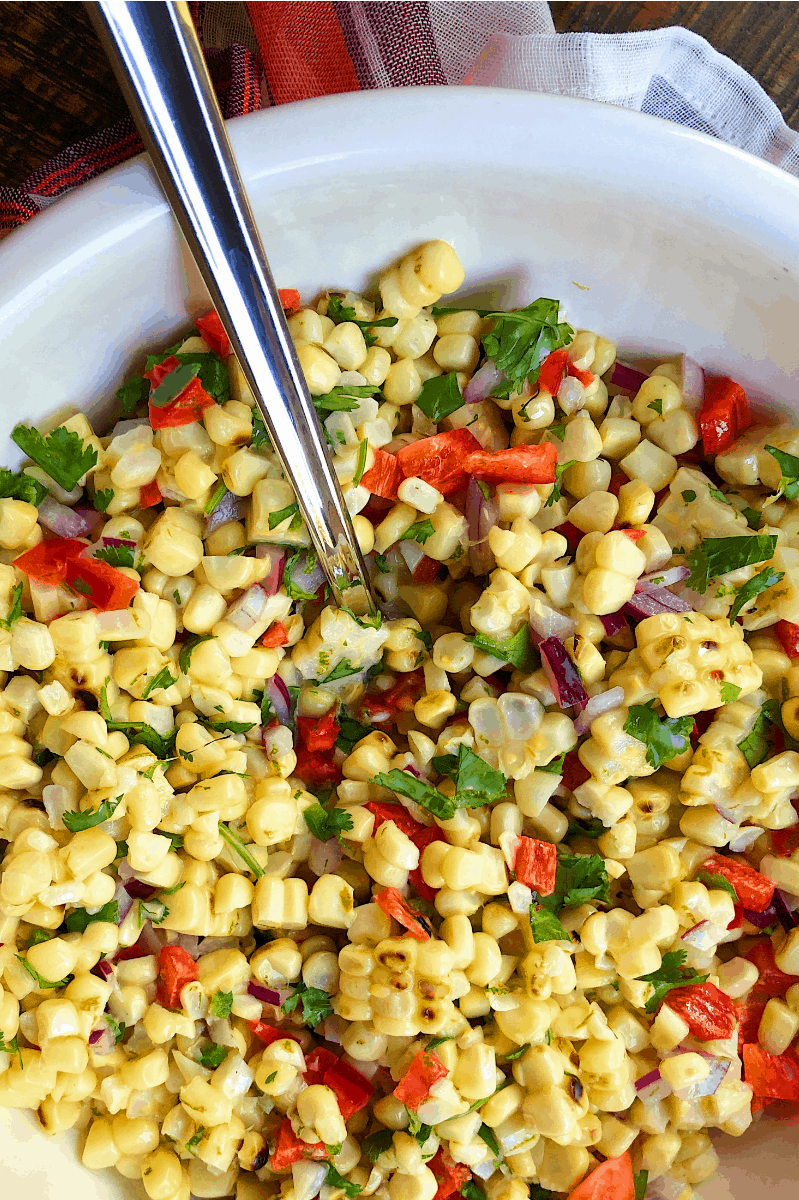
(274, 52)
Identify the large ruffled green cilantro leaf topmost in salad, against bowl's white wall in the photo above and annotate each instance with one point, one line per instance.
(520, 341)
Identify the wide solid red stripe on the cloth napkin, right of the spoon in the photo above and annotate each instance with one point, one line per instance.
(303, 47)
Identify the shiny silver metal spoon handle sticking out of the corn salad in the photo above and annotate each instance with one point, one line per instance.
(157, 57)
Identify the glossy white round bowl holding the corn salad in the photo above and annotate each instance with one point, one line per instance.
(652, 235)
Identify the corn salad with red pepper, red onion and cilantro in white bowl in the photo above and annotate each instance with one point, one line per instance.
(494, 895)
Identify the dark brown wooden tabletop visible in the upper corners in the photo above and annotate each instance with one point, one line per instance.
(56, 86)
